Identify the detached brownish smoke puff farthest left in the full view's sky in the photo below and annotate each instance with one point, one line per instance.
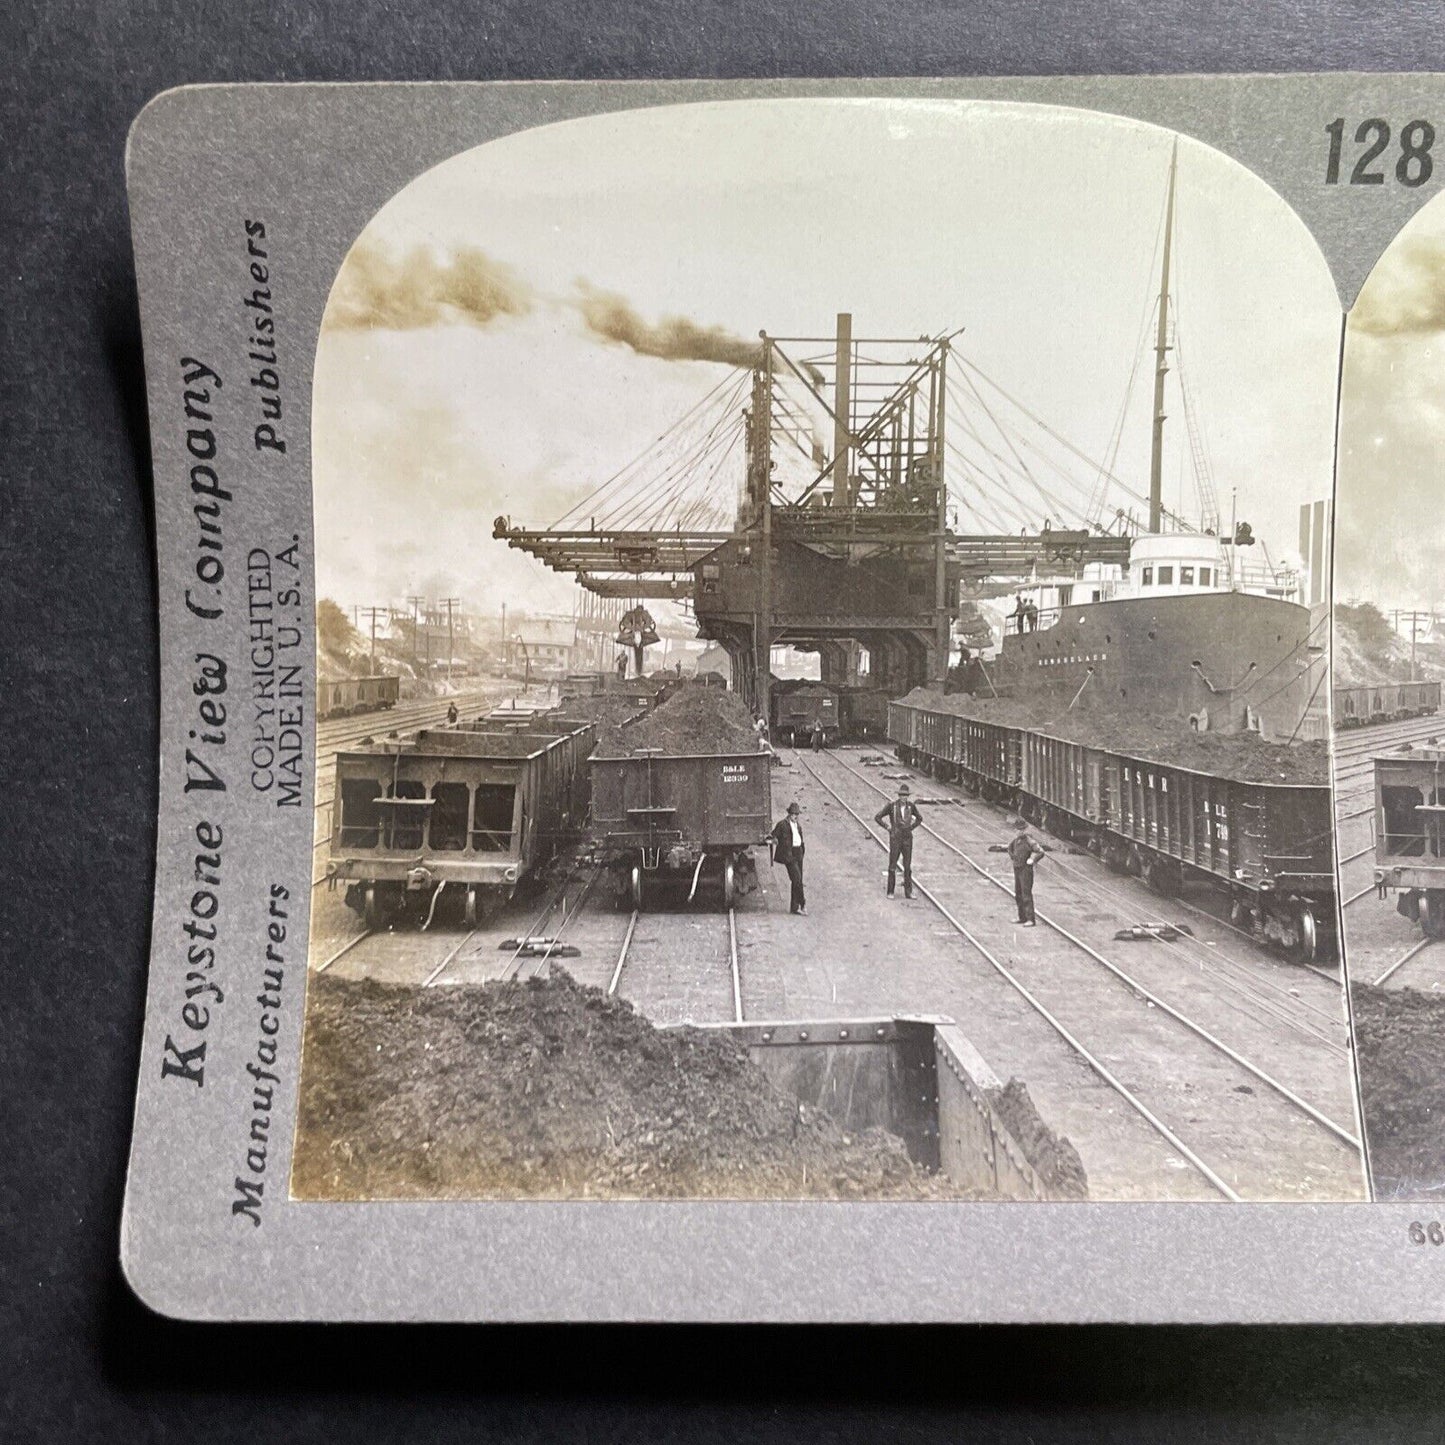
(381, 291)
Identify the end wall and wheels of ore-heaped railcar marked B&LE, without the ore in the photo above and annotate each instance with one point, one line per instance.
(677, 824)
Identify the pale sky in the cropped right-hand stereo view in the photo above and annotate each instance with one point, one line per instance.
(1389, 524)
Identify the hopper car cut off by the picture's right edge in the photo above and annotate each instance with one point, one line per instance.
(1410, 834)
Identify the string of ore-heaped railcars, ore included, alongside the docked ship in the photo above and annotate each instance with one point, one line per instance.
(1251, 819)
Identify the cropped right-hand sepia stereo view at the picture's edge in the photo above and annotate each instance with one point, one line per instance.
(1389, 663)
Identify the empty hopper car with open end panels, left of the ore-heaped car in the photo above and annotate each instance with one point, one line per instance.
(454, 813)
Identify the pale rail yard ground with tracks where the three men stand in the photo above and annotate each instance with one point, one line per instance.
(1202, 1069)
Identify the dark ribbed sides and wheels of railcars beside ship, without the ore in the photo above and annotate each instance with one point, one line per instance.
(1269, 847)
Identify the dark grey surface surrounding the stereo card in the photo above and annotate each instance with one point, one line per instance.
(79, 1358)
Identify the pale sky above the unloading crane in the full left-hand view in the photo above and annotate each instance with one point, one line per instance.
(482, 352)
